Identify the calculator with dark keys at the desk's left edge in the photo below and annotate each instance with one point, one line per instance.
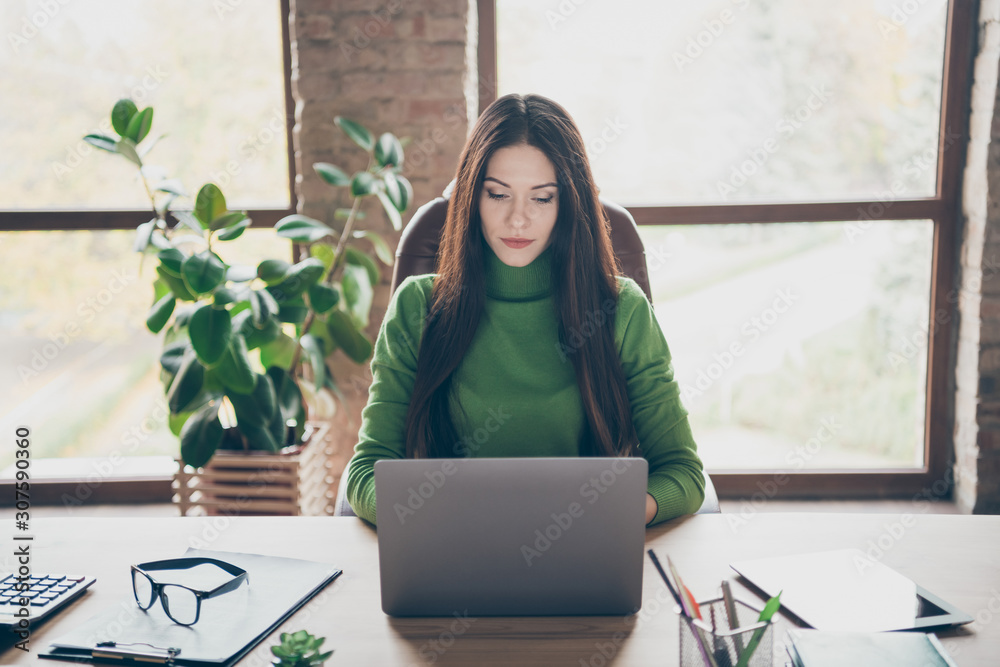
(46, 594)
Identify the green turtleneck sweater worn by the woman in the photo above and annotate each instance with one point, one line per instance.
(516, 388)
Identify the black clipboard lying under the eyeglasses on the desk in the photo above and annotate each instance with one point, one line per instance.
(230, 627)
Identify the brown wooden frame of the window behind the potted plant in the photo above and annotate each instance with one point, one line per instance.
(153, 488)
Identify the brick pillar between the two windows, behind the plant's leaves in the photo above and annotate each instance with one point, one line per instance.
(397, 66)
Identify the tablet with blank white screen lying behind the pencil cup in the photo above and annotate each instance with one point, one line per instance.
(849, 591)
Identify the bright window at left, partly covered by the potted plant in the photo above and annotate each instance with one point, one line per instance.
(78, 366)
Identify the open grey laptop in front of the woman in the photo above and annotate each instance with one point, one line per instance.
(511, 536)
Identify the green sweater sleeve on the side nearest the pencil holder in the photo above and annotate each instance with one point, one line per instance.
(676, 478)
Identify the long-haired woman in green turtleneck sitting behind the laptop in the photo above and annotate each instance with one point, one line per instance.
(525, 343)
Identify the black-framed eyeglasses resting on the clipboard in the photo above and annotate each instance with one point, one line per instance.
(182, 604)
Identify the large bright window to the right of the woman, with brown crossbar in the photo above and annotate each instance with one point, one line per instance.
(794, 169)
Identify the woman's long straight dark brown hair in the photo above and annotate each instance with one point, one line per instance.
(583, 274)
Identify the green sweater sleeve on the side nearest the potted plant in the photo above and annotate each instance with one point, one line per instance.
(394, 367)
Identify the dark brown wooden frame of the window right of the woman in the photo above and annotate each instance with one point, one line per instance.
(943, 209)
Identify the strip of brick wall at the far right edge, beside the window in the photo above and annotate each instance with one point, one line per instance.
(977, 370)
